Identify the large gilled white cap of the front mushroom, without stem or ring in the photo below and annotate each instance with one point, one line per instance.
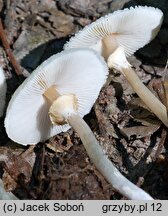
(79, 71)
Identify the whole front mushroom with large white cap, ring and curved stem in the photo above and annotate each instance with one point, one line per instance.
(56, 96)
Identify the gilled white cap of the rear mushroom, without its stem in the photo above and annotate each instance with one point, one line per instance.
(131, 29)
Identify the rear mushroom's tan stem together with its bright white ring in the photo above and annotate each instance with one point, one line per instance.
(118, 61)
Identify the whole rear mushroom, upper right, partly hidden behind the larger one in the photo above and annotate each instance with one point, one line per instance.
(117, 36)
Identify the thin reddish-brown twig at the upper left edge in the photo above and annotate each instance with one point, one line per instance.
(8, 50)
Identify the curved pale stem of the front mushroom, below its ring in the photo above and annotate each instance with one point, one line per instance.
(103, 164)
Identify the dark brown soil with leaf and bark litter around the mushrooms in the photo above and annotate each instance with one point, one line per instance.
(130, 135)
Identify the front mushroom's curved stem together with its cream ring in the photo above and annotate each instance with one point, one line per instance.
(63, 110)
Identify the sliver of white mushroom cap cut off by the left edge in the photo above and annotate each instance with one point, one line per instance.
(3, 88)
